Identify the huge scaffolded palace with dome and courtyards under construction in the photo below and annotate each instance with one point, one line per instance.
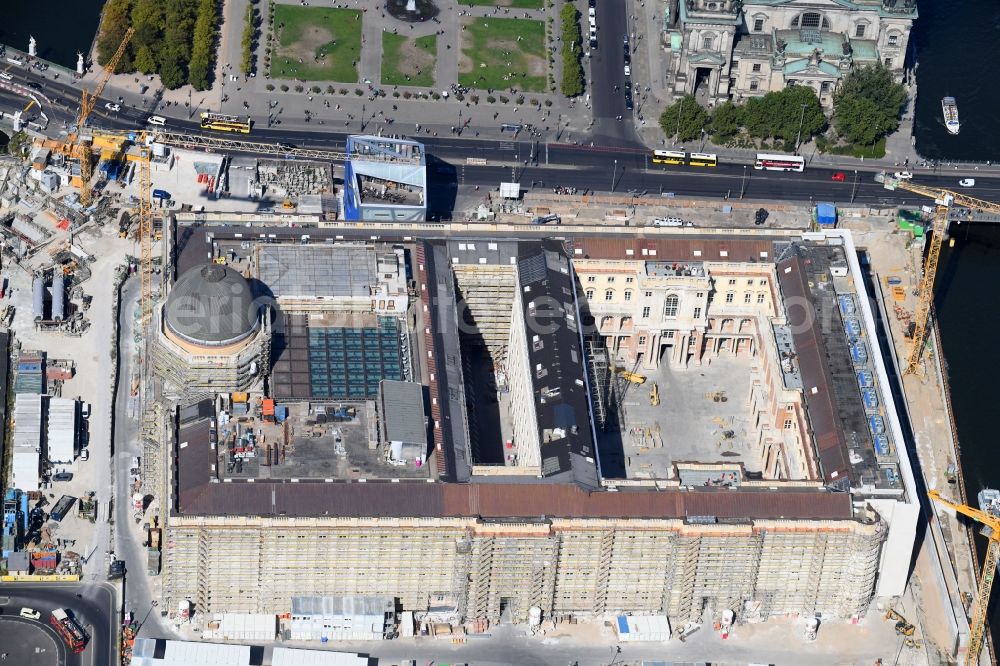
(682, 423)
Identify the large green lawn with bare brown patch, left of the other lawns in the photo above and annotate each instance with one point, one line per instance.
(316, 43)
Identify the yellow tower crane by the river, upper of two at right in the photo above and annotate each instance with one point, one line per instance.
(944, 200)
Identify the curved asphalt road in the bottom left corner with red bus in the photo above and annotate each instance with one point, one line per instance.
(93, 604)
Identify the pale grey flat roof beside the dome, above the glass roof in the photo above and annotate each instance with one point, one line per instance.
(317, 271)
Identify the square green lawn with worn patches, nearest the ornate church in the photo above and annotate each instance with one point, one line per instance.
(488, 44)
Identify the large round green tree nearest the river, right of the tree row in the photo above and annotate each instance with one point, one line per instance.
(868, 105)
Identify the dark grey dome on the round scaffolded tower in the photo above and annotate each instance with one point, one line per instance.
(211, 305)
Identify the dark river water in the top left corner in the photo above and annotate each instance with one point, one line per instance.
(60, 27)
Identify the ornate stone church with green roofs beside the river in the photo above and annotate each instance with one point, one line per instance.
(727, 49)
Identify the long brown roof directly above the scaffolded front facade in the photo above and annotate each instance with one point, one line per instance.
(198, 496)
